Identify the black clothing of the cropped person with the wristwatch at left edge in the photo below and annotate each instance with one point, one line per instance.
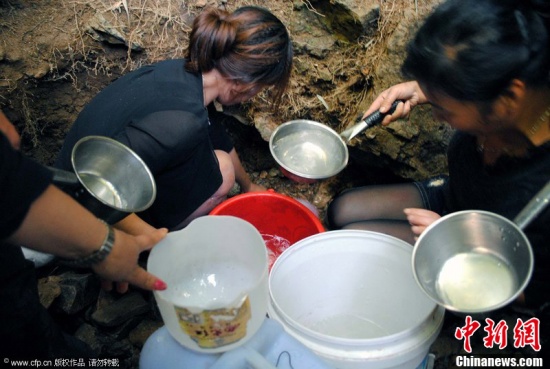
(26, 329)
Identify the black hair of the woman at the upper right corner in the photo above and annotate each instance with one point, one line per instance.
(471, 50)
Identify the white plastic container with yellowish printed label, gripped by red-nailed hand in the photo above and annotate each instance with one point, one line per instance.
(216, 272)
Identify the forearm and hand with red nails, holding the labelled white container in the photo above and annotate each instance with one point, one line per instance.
(58, 225)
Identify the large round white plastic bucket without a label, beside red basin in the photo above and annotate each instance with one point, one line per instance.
(350, 297)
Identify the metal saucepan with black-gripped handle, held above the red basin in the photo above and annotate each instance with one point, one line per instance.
(307, 151)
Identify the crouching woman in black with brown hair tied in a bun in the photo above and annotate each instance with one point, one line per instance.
(160, 112)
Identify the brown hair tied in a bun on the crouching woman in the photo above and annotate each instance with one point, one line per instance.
(250, 45)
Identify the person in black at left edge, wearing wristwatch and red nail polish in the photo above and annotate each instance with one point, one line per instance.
(35, 213)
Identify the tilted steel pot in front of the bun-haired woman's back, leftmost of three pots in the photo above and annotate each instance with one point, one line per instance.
(109, 179)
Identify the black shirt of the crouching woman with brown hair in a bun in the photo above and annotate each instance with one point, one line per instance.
(158, 111)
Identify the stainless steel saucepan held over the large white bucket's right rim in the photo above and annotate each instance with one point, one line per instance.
(476, 261)
